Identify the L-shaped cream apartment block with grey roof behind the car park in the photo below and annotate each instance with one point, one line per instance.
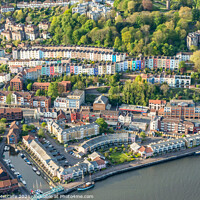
(79, 132)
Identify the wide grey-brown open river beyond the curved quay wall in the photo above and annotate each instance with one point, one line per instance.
(175, 180)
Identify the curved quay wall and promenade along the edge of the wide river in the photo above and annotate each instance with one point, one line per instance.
(102, 175)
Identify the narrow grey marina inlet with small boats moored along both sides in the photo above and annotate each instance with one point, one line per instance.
(33, 181)
